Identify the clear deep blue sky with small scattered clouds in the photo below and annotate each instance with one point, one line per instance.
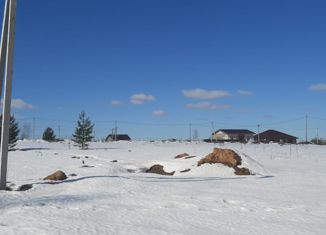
(156, 66)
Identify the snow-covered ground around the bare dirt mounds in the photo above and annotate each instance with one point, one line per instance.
(286, 196)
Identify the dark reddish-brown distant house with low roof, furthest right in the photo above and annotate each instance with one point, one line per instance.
(275, 136)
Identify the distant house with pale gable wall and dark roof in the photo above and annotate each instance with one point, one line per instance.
(232, 135)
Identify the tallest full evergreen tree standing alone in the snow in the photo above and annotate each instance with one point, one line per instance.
(83, 131)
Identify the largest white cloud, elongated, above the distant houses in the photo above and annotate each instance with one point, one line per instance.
(205, 94)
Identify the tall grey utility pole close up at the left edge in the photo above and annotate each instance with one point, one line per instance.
(6, 72)
